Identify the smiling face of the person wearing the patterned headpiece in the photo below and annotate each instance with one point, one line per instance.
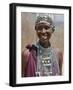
(44, 32)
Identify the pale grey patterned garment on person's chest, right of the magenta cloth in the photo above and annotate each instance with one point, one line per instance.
(45, 61)
